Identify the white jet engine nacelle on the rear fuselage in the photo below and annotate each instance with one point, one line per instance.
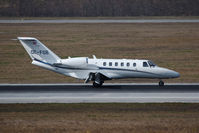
(75, 62)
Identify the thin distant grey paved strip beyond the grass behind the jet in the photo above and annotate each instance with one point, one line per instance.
(105, 21)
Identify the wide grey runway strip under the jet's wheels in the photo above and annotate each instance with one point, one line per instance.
(85, 93)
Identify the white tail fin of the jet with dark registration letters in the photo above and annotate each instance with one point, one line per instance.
(38, 51)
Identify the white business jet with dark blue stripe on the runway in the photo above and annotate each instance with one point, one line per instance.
(93, 69)
